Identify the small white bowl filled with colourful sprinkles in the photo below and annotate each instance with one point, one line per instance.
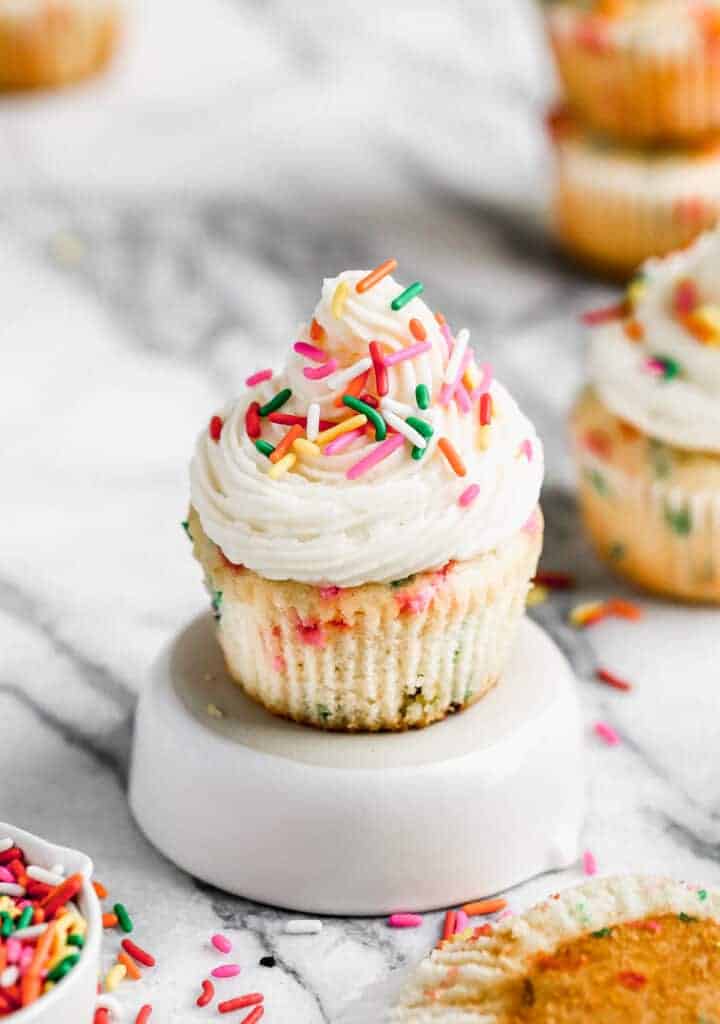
(51, 932)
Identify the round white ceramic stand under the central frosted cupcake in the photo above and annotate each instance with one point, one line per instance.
(359, 825)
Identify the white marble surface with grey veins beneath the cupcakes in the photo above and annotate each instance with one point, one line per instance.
(162, 232)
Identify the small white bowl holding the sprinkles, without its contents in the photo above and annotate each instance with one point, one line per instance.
(73, 1000)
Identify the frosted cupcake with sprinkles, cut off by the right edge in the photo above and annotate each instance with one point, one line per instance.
(647, 432)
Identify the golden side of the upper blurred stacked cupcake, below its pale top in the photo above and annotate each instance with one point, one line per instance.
(641, 94)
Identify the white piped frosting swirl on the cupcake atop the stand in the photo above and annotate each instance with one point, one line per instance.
(404, 517)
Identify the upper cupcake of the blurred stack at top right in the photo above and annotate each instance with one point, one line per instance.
(644, 71)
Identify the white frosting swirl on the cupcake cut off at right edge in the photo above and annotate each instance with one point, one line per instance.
(686, 410)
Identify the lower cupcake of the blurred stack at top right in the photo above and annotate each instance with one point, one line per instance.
(616, 207)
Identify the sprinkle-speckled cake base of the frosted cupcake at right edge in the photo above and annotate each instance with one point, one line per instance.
(652, 510)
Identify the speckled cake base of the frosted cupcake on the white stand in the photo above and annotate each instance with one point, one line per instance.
(380, 657)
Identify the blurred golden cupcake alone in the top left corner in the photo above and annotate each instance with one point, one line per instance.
(50, 44)
